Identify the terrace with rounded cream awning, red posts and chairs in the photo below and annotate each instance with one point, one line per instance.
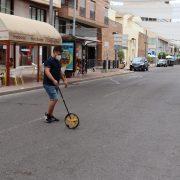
(21, 47)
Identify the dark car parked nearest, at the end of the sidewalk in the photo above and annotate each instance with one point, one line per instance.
(139, 63)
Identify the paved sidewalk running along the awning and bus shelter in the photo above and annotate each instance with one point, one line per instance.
(79, 78)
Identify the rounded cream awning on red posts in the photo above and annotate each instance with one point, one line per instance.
(24, 30)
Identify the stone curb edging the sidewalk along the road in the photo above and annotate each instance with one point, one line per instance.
(71, 83)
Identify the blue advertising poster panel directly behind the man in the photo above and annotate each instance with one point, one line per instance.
(69, 46)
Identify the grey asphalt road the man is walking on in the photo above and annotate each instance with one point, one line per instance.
(130, 130)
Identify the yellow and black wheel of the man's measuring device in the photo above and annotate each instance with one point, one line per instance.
(72, 121)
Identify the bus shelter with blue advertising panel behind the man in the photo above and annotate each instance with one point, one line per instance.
(83, 53)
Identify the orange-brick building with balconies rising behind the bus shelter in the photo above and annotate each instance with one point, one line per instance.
(91, 16)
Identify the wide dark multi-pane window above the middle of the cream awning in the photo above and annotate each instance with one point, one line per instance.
(37, 14)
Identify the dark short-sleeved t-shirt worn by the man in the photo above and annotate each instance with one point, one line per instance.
(55, 69)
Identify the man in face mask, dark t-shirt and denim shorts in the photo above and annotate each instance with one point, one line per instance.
(52, 76)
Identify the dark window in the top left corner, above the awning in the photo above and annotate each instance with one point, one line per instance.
(6, 6)
